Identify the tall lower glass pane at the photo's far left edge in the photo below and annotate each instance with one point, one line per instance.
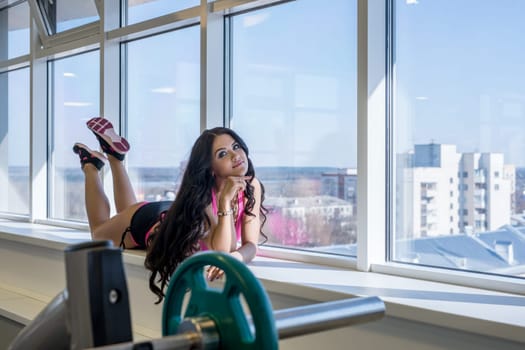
(14, 141)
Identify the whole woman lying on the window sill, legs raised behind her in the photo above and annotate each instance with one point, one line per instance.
(218, 206)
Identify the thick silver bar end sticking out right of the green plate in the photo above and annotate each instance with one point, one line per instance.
(309, 319)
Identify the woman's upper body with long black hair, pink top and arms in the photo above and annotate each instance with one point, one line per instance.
(218, 204)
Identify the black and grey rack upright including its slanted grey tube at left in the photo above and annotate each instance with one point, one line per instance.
(92, 311)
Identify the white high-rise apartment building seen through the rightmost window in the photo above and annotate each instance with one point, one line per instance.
(440, 191)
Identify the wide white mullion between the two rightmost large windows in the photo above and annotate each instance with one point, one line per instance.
(371, 133)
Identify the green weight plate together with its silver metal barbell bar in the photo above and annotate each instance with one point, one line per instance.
(214, 318)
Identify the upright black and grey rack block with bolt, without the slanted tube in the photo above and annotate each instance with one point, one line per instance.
(98, 296)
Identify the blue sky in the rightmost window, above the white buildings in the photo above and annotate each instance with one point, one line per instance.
(460, 70)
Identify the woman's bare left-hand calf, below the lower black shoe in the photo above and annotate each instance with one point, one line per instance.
(97, 204)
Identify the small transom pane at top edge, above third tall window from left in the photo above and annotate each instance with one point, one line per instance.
(141, 10)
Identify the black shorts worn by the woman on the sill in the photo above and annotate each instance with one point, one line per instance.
(143, 221)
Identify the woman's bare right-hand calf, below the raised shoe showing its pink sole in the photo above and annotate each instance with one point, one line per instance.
(123, 192)
